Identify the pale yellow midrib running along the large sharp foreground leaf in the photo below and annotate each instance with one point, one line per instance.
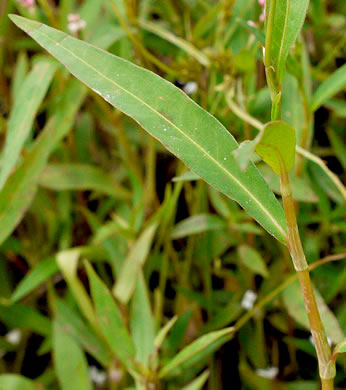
(169, 122)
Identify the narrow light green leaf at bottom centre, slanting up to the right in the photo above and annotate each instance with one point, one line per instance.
(197, 347)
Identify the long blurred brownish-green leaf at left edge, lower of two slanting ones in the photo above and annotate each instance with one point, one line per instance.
(20, 188)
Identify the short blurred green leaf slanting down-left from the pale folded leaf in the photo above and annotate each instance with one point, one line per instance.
(41, 273)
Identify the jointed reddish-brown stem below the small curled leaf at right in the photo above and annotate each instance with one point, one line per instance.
(326, 366)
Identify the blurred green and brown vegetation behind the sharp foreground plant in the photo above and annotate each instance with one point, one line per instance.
(91, 206)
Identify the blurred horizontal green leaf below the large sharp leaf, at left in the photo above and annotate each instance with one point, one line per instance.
(61, 177)
